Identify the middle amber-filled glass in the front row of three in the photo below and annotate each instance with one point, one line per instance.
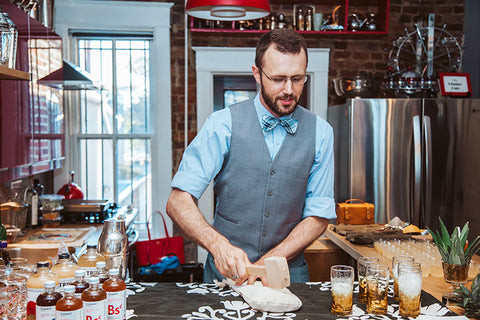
(377, 289)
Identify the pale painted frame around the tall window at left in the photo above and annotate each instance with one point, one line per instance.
(123, 16)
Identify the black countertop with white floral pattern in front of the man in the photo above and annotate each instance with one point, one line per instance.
(205, 301)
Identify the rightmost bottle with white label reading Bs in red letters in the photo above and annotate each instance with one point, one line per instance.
(116, 296)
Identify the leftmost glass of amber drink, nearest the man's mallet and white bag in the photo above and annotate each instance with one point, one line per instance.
(341, 278)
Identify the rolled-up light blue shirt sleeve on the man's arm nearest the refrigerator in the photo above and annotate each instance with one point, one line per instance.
(319, 199)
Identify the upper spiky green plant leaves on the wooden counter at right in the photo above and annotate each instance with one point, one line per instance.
(455, 248)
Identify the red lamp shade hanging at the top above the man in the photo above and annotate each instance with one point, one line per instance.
(229, 10)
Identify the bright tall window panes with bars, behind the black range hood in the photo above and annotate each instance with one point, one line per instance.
(115, 130)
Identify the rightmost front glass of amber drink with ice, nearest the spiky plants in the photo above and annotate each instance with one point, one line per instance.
(410, 289)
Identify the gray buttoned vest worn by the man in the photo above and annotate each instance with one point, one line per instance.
(259, 200)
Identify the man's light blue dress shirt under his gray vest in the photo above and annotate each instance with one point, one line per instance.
(204, 157)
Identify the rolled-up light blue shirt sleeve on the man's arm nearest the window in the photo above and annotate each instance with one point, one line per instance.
(203, 158)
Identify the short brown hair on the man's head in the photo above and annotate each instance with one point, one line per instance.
(284, 40)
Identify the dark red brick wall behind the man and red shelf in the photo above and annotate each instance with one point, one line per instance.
(349, 54)
